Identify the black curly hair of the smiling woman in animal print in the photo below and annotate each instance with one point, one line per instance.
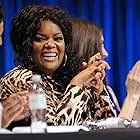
(24, 29)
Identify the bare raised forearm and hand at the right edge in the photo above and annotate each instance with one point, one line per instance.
(131, 106)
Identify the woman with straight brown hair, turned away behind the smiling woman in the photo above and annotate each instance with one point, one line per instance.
(88, 40)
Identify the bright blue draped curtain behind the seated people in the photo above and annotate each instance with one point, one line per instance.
(120, 20)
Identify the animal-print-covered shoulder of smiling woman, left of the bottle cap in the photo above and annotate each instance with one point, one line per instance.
(17, 79)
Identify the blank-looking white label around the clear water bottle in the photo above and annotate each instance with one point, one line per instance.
(37, 101)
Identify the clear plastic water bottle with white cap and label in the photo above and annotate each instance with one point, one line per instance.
(37, 106)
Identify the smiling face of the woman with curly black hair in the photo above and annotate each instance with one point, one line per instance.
(48, 47)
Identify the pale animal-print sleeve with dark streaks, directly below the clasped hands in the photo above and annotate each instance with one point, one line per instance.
(72, 110)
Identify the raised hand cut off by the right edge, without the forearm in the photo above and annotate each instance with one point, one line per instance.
(133, 81)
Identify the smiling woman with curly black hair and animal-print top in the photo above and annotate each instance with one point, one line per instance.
(41, 38)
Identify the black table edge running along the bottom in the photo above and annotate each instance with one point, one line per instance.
(108, 134)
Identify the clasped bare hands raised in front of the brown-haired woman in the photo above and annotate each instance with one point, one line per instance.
(93, 74)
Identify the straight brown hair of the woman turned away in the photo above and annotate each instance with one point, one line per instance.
(86, 38)
